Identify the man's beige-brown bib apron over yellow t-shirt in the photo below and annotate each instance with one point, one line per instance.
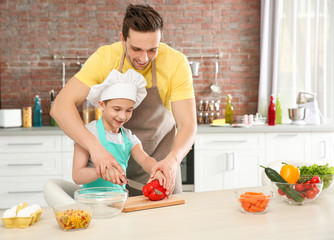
(154, 125)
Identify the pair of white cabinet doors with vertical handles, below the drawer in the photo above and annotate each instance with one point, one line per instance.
(217, 170)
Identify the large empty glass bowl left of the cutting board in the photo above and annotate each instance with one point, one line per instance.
(107, 202)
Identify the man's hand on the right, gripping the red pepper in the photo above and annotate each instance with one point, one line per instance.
(169, 167)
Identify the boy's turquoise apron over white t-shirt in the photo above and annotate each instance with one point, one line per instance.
(121, 153)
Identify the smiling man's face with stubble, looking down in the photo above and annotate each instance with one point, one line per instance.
(141, 48)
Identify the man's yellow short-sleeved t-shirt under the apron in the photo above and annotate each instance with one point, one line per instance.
(174, 79)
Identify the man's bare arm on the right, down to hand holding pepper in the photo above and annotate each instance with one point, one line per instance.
(184, 112)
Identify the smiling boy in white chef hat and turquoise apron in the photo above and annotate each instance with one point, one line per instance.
(117, 96)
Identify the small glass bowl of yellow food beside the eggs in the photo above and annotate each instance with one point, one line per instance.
(73, 216)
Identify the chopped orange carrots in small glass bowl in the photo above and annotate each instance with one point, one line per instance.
(254, 201)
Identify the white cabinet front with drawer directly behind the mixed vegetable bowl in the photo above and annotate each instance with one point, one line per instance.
(290, 146)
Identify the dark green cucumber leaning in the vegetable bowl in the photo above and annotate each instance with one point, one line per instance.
(287, 189)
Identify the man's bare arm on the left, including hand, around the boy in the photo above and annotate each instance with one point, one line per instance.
(64, 111)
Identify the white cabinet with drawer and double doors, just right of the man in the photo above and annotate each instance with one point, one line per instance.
(224, 161)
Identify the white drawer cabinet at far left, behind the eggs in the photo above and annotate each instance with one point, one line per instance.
(27, 162)
